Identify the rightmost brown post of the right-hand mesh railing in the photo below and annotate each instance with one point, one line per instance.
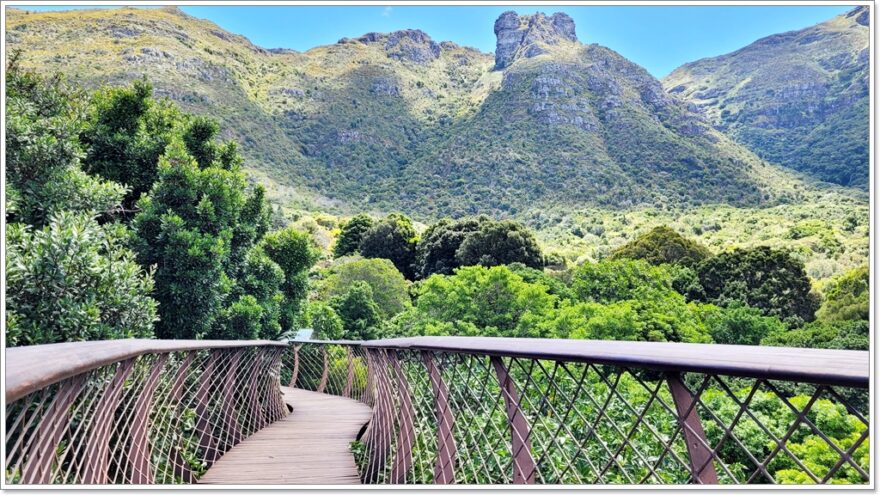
(700, 455)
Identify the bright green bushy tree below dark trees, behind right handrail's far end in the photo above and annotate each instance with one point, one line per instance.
(477, 301)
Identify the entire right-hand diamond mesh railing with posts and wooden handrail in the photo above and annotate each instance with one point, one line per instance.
(495, 410)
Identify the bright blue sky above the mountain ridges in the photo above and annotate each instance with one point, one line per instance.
(660, 38)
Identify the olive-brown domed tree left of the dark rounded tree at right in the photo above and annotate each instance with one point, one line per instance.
(663, 245)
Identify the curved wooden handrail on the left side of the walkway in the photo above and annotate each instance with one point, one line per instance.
(31, 368)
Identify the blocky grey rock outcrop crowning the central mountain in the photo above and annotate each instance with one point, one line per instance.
(527, 35)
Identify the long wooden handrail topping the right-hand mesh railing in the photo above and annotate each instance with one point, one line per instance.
(818, 366)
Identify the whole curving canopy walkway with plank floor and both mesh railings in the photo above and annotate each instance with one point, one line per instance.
(434, 410)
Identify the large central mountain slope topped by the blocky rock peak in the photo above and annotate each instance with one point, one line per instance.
(397, 120)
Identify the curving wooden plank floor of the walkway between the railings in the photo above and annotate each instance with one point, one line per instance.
(308, 447)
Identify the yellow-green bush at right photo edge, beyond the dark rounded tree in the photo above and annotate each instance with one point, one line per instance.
(846, 296)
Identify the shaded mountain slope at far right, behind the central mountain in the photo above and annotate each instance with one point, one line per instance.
(799, 99)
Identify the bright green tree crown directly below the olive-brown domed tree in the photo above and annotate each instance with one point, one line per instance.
(618, 280)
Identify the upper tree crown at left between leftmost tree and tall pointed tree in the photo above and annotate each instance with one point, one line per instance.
(126, 133)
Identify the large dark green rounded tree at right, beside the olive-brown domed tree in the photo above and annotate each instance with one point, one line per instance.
(765, 278)
